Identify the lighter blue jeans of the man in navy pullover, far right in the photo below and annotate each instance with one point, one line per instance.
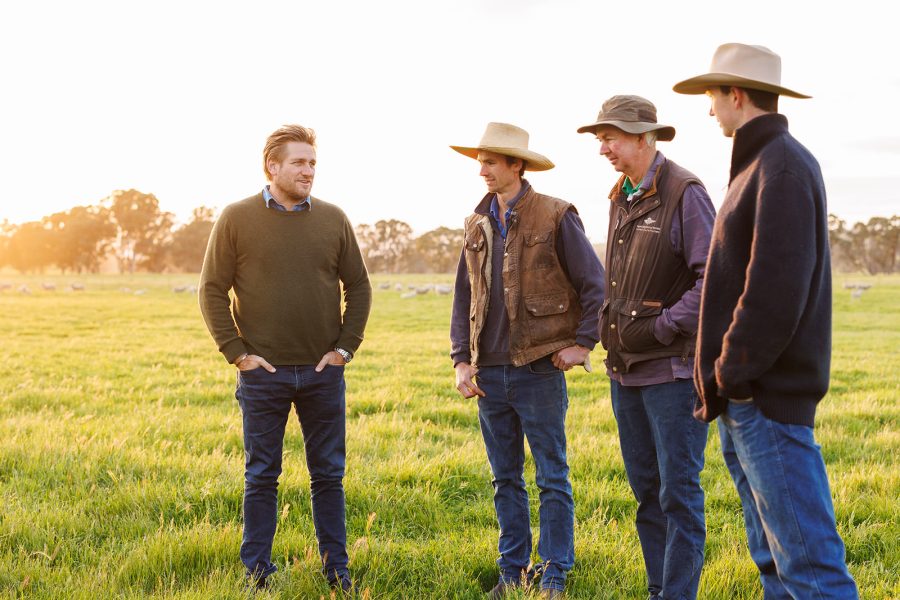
(780, 476)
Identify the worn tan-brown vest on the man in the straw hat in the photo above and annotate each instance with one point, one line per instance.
(541, 304)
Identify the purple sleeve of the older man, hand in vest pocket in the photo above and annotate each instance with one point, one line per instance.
(691, 231)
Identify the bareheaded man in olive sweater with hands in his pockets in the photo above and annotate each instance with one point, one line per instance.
(286, 255)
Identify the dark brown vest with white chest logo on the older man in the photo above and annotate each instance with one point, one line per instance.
(643, 273)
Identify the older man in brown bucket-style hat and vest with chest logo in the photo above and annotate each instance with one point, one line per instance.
(660, 222)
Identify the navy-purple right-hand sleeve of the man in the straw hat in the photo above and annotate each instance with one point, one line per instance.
(586, 275)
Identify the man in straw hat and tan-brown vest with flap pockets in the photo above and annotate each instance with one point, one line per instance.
(528, 289)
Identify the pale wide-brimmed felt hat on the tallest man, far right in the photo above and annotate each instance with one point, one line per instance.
(740, 65)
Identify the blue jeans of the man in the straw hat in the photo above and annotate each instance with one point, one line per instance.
(520, 402)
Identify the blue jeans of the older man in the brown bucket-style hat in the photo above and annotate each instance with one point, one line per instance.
(662, 448)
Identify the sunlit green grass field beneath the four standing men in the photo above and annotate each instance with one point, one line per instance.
(121, 460)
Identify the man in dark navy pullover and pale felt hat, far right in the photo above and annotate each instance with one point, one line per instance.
(764, 344)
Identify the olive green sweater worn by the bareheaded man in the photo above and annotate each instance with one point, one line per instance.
(286, 271)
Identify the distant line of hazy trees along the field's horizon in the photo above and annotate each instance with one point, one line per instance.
(129, 230)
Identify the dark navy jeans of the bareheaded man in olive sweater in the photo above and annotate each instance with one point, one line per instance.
(266, 399)
